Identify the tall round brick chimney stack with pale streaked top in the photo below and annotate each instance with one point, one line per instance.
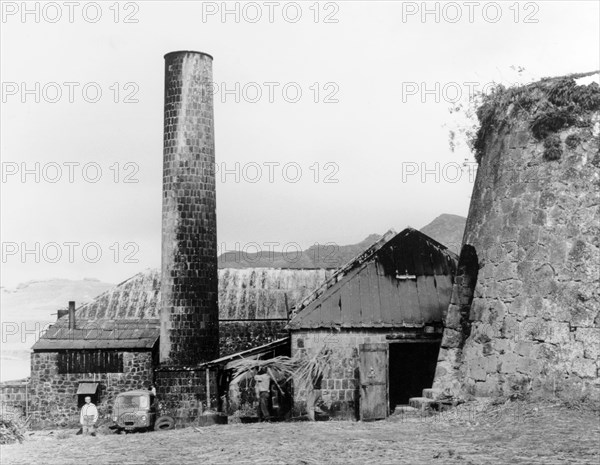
(189, 315)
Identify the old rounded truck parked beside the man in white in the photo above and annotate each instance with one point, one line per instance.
(138, 411)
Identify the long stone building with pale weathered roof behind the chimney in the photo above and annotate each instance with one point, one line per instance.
(111, 344)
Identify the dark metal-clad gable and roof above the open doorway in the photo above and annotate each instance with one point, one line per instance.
(404, 280)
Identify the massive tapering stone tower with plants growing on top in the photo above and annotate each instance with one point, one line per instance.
(525, 312)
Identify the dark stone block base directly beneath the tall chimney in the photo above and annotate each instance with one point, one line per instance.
(182, 392)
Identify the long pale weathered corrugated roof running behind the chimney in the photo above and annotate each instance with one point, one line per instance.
(126, 316)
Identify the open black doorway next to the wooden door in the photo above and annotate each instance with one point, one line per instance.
(411, 369)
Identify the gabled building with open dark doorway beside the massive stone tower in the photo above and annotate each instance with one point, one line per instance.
(381, 318)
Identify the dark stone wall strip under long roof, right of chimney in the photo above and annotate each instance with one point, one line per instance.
(236, 336)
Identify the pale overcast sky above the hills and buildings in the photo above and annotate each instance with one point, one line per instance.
(361, 68)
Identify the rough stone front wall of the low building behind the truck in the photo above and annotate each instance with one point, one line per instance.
(53, 396)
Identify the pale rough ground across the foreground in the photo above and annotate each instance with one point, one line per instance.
(515, 433)
